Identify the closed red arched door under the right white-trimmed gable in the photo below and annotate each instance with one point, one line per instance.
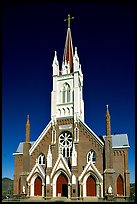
(91, 186)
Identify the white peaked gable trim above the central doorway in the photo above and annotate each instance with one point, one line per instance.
(62, 162)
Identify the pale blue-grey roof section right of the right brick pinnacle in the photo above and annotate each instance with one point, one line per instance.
(119, 141)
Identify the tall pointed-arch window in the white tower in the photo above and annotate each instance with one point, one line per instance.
(66, 93)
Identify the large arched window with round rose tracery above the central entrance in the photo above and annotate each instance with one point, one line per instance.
(65, 144)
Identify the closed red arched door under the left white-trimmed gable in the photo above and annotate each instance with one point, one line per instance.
(38, 187)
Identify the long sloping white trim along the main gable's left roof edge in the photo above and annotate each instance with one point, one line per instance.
(39, 138)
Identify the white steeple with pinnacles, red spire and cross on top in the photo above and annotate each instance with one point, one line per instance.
(67, 93)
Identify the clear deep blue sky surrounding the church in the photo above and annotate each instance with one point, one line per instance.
(104, 36)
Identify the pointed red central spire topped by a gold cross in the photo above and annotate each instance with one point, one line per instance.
(68, 50)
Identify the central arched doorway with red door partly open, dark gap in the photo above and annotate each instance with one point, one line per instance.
(62, 186)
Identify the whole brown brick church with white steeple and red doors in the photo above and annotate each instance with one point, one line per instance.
(68, 159)
